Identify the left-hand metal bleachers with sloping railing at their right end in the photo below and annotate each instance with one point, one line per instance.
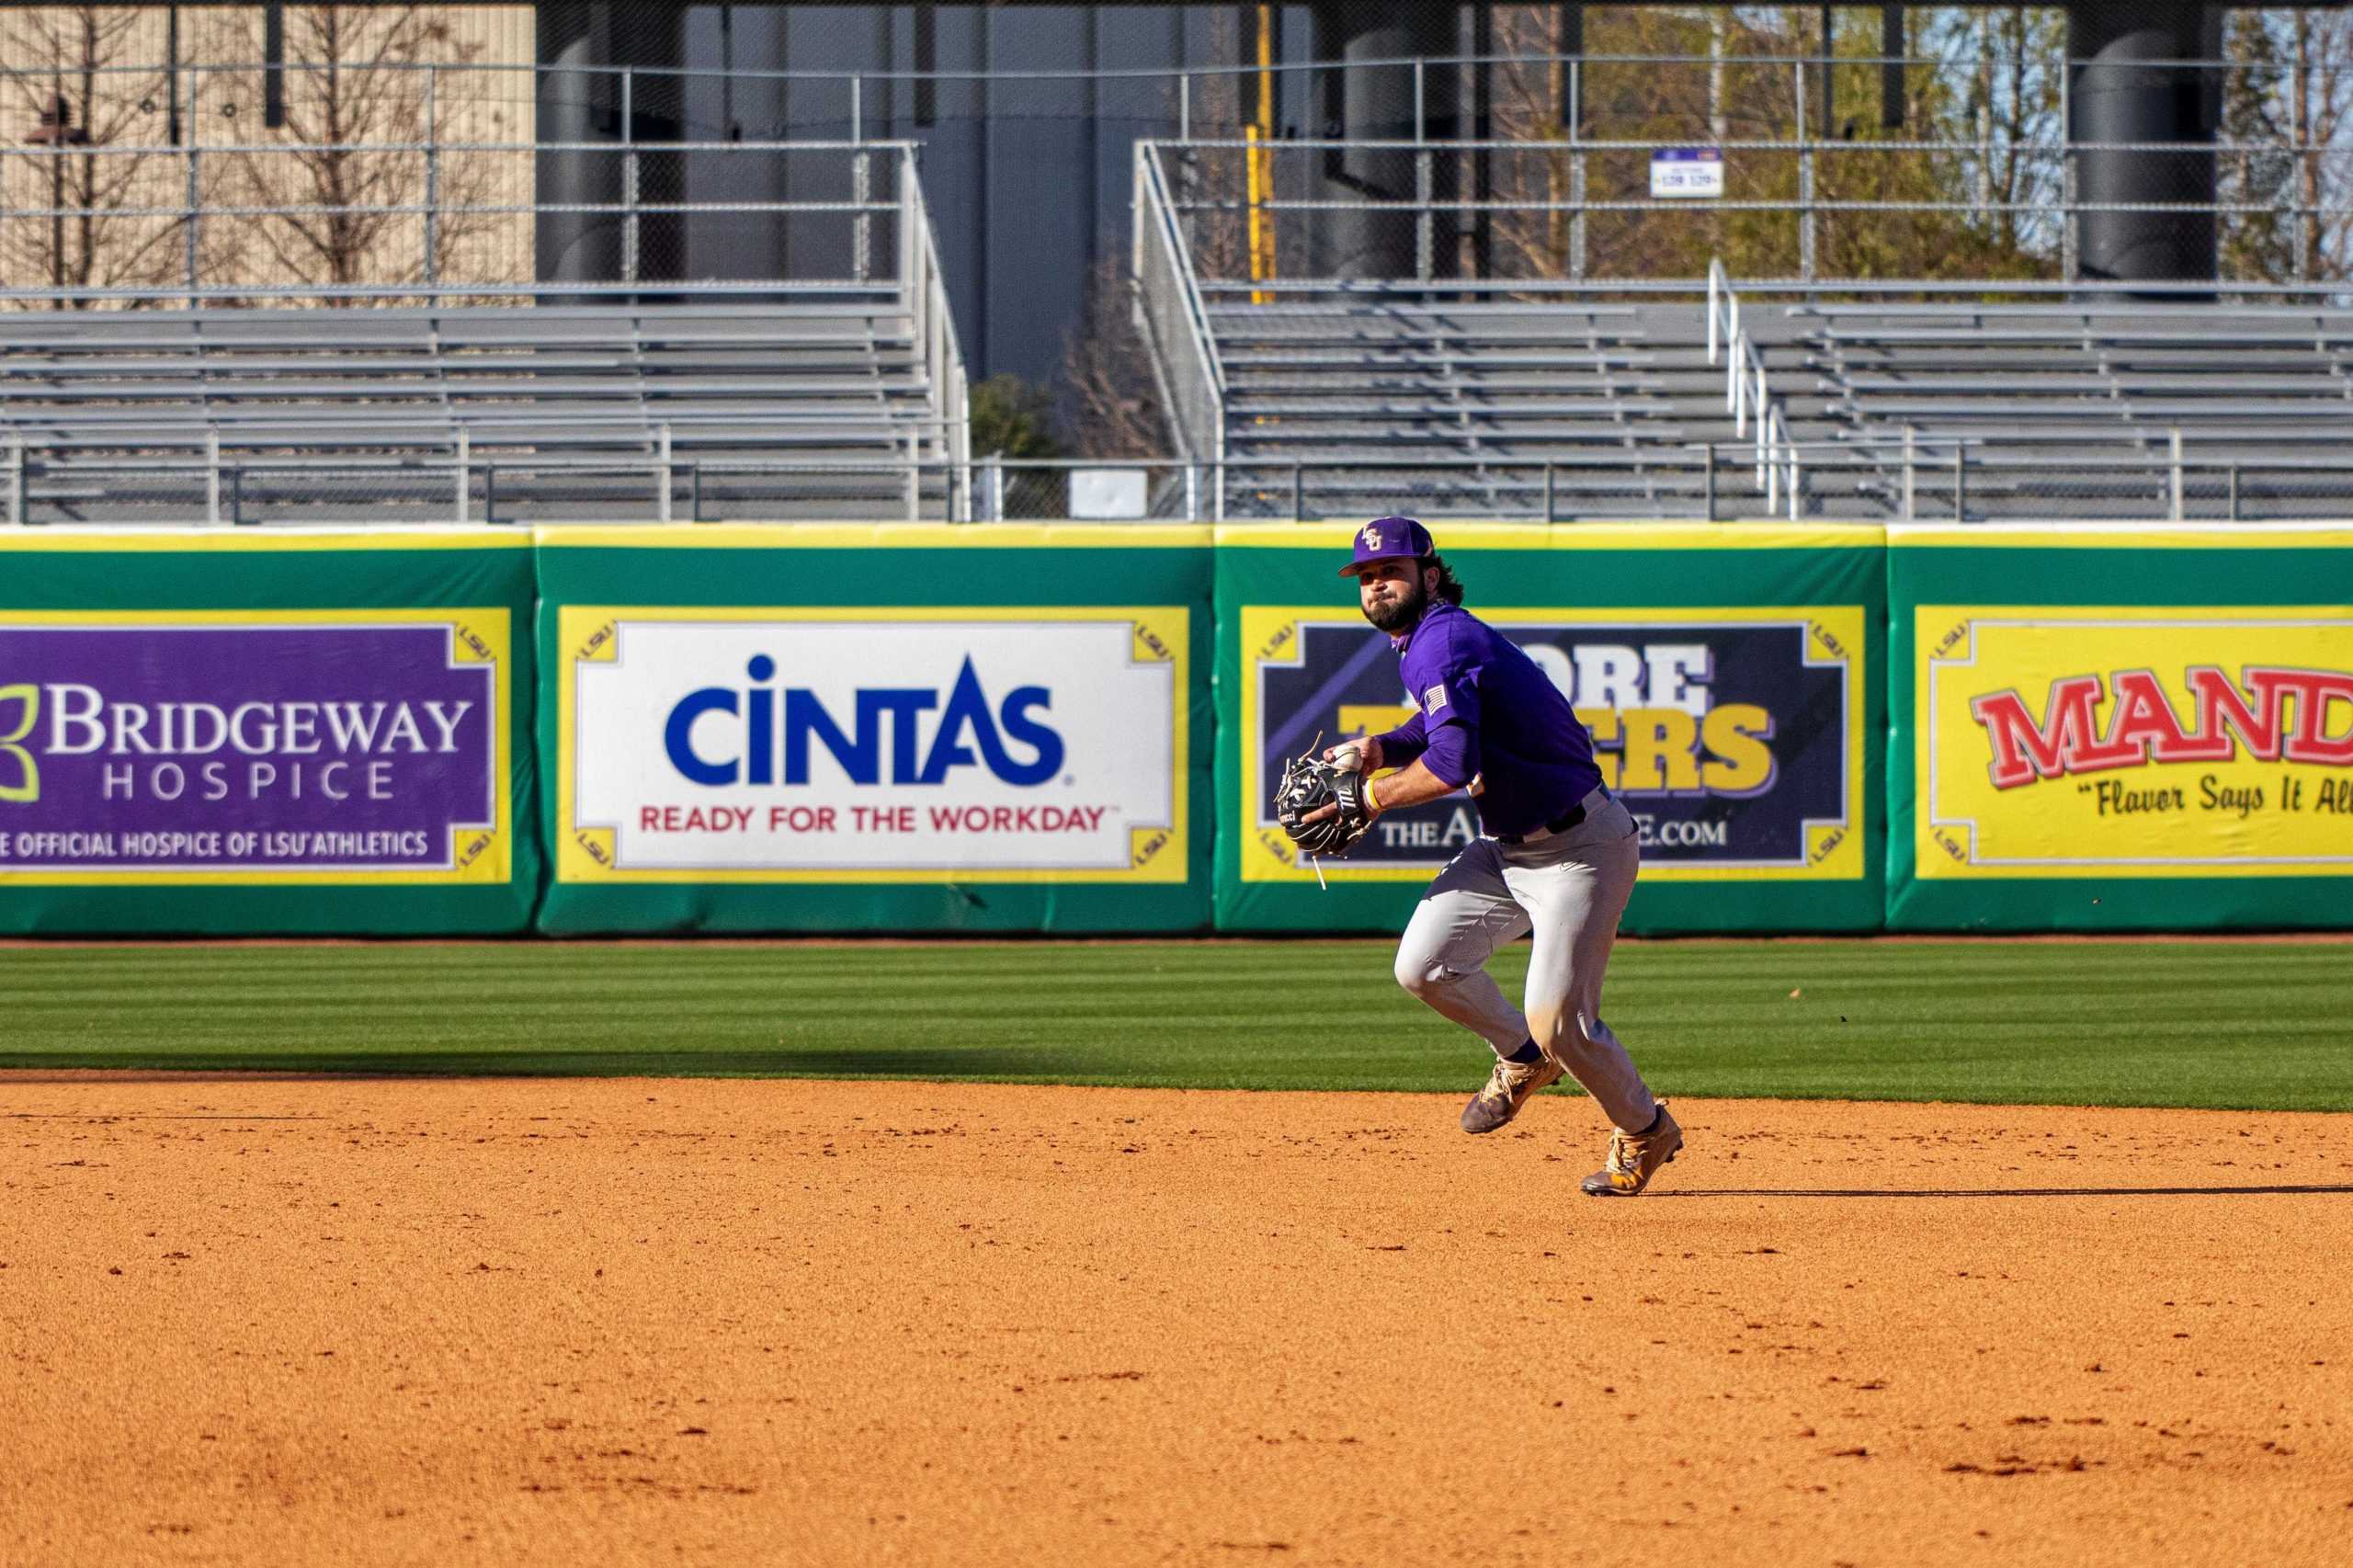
(825, 399)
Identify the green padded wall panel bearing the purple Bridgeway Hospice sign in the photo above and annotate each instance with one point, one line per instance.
(305, 733)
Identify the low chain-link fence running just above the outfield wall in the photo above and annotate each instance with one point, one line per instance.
(1717, 481)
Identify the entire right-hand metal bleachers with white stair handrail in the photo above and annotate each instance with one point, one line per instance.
(1832, 399)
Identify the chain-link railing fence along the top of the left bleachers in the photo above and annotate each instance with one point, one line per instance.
(274, 220)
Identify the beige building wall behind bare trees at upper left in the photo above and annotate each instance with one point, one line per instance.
(389, 109)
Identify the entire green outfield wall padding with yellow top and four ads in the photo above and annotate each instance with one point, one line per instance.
(921, 729)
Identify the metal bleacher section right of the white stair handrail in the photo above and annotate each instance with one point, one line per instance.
(2084, 408)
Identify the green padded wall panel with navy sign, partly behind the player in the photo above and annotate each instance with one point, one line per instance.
(1728, 677)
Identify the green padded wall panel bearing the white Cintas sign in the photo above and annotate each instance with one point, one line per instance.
(879, 729)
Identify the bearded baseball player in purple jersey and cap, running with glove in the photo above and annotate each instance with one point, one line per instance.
(1557, 861)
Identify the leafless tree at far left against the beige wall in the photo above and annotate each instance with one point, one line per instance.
(81, 218)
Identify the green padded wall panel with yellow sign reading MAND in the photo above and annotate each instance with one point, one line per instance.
(2114, 731)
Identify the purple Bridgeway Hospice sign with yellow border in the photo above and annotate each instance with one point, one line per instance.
(371, 745)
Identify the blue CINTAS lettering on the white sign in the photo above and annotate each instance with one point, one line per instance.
(768, 736)
